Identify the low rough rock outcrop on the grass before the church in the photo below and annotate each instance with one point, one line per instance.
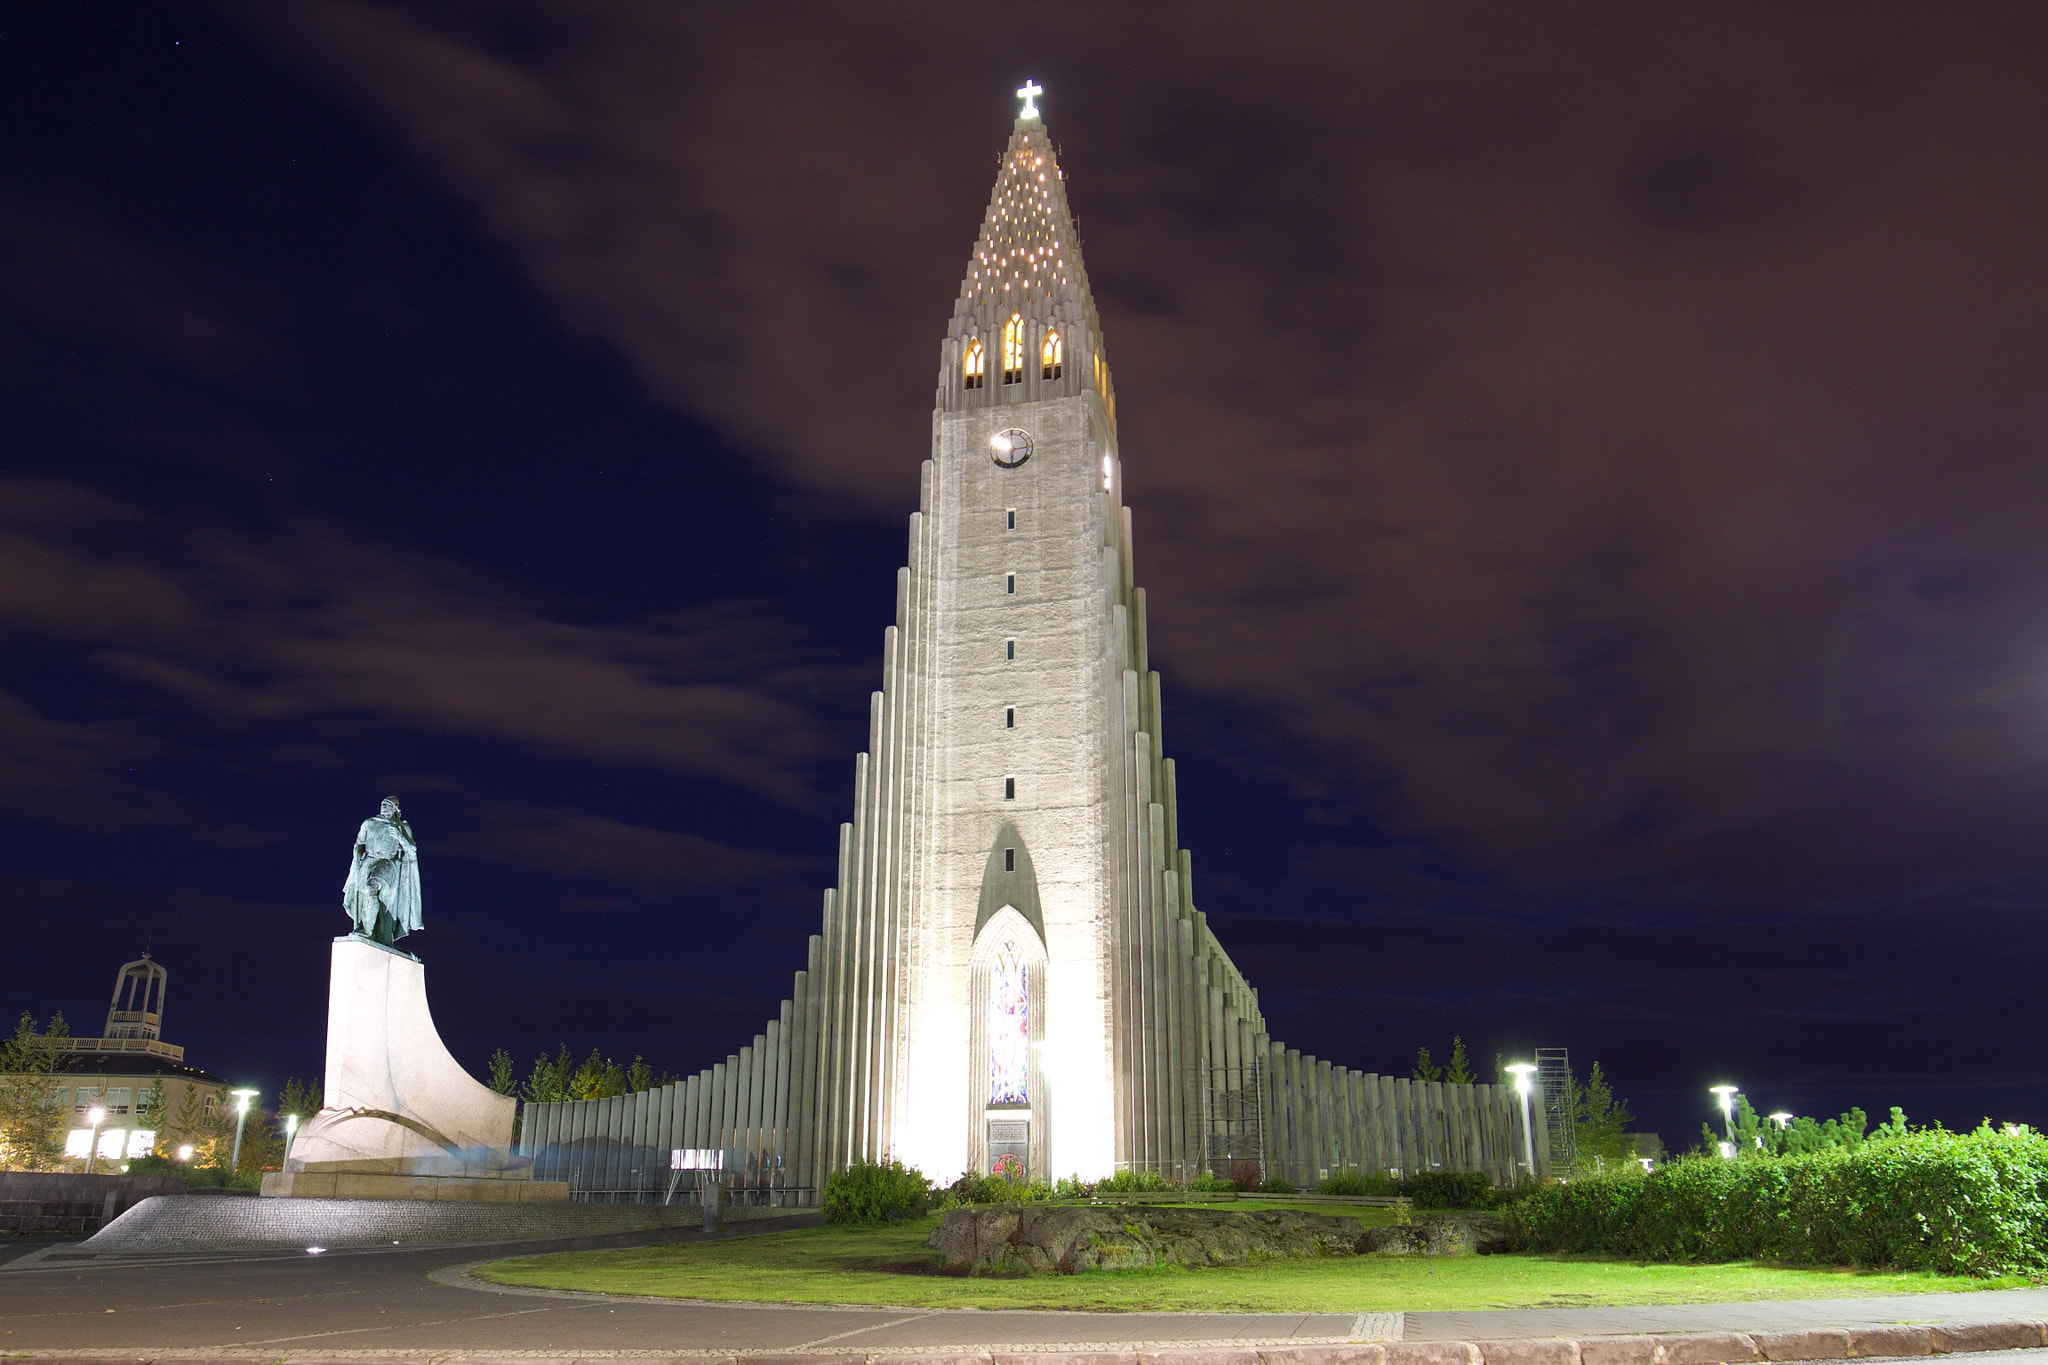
(1121, 1237)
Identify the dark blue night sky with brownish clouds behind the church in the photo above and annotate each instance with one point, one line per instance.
(1590, 466)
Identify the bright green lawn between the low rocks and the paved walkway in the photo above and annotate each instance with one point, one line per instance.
(894, 1268)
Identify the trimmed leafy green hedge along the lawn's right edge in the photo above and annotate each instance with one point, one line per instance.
(1965, 1204)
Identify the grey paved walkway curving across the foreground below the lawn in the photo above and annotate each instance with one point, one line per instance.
(407, 1305)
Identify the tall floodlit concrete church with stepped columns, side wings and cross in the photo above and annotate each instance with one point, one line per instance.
(1013, 973)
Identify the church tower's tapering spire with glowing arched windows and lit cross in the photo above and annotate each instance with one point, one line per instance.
(1025, 322)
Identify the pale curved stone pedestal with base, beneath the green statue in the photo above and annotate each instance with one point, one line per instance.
(402, 1118)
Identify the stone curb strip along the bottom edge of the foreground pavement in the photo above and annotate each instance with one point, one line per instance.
(1662, 1350)
